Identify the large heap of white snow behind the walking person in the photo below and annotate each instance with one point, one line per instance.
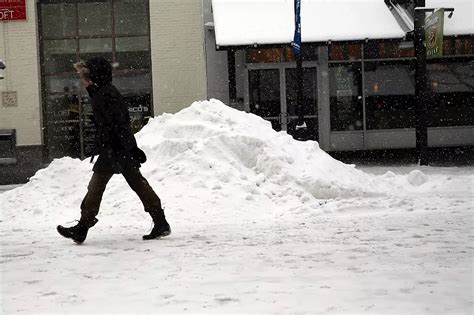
(207, 157)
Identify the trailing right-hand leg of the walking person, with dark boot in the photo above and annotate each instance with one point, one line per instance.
(151, 202)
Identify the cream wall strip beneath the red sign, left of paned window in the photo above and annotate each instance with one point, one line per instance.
(19, 50)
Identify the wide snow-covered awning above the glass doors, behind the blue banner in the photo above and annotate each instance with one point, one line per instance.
(249, 22)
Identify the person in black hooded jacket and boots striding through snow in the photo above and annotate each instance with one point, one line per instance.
(118, 153)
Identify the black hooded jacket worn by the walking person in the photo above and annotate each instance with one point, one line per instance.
(114, 139)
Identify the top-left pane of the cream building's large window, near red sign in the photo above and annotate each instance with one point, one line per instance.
(58, 20)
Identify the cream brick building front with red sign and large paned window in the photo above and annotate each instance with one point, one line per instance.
(156, 48)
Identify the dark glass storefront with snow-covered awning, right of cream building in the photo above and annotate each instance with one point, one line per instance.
(358, 72)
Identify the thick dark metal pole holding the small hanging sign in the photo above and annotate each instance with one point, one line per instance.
(421, 88)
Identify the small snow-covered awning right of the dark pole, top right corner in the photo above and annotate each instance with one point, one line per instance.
(462, 21)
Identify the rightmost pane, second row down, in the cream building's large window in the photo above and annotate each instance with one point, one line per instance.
(133, 52)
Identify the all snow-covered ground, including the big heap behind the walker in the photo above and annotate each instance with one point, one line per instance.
(261, 224)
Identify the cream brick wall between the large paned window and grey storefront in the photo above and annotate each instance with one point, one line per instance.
(178, 57)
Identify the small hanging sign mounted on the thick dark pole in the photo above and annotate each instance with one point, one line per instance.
(434, 29)
